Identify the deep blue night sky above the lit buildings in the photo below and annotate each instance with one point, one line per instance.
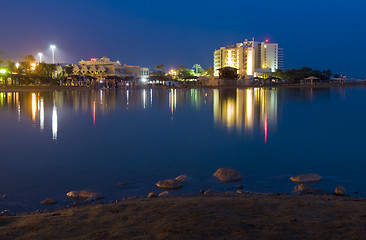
(321, 34)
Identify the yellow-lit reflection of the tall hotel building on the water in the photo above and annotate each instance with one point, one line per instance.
(246, 110)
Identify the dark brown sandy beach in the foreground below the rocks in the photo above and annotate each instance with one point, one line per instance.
(198, 217)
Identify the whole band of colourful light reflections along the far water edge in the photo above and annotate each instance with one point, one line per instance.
(244, 111)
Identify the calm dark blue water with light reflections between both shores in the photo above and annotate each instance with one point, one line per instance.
(55, 142)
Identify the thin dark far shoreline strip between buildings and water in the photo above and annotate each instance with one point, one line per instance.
(81, 88)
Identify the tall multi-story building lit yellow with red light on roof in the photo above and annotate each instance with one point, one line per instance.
(251, 58)
